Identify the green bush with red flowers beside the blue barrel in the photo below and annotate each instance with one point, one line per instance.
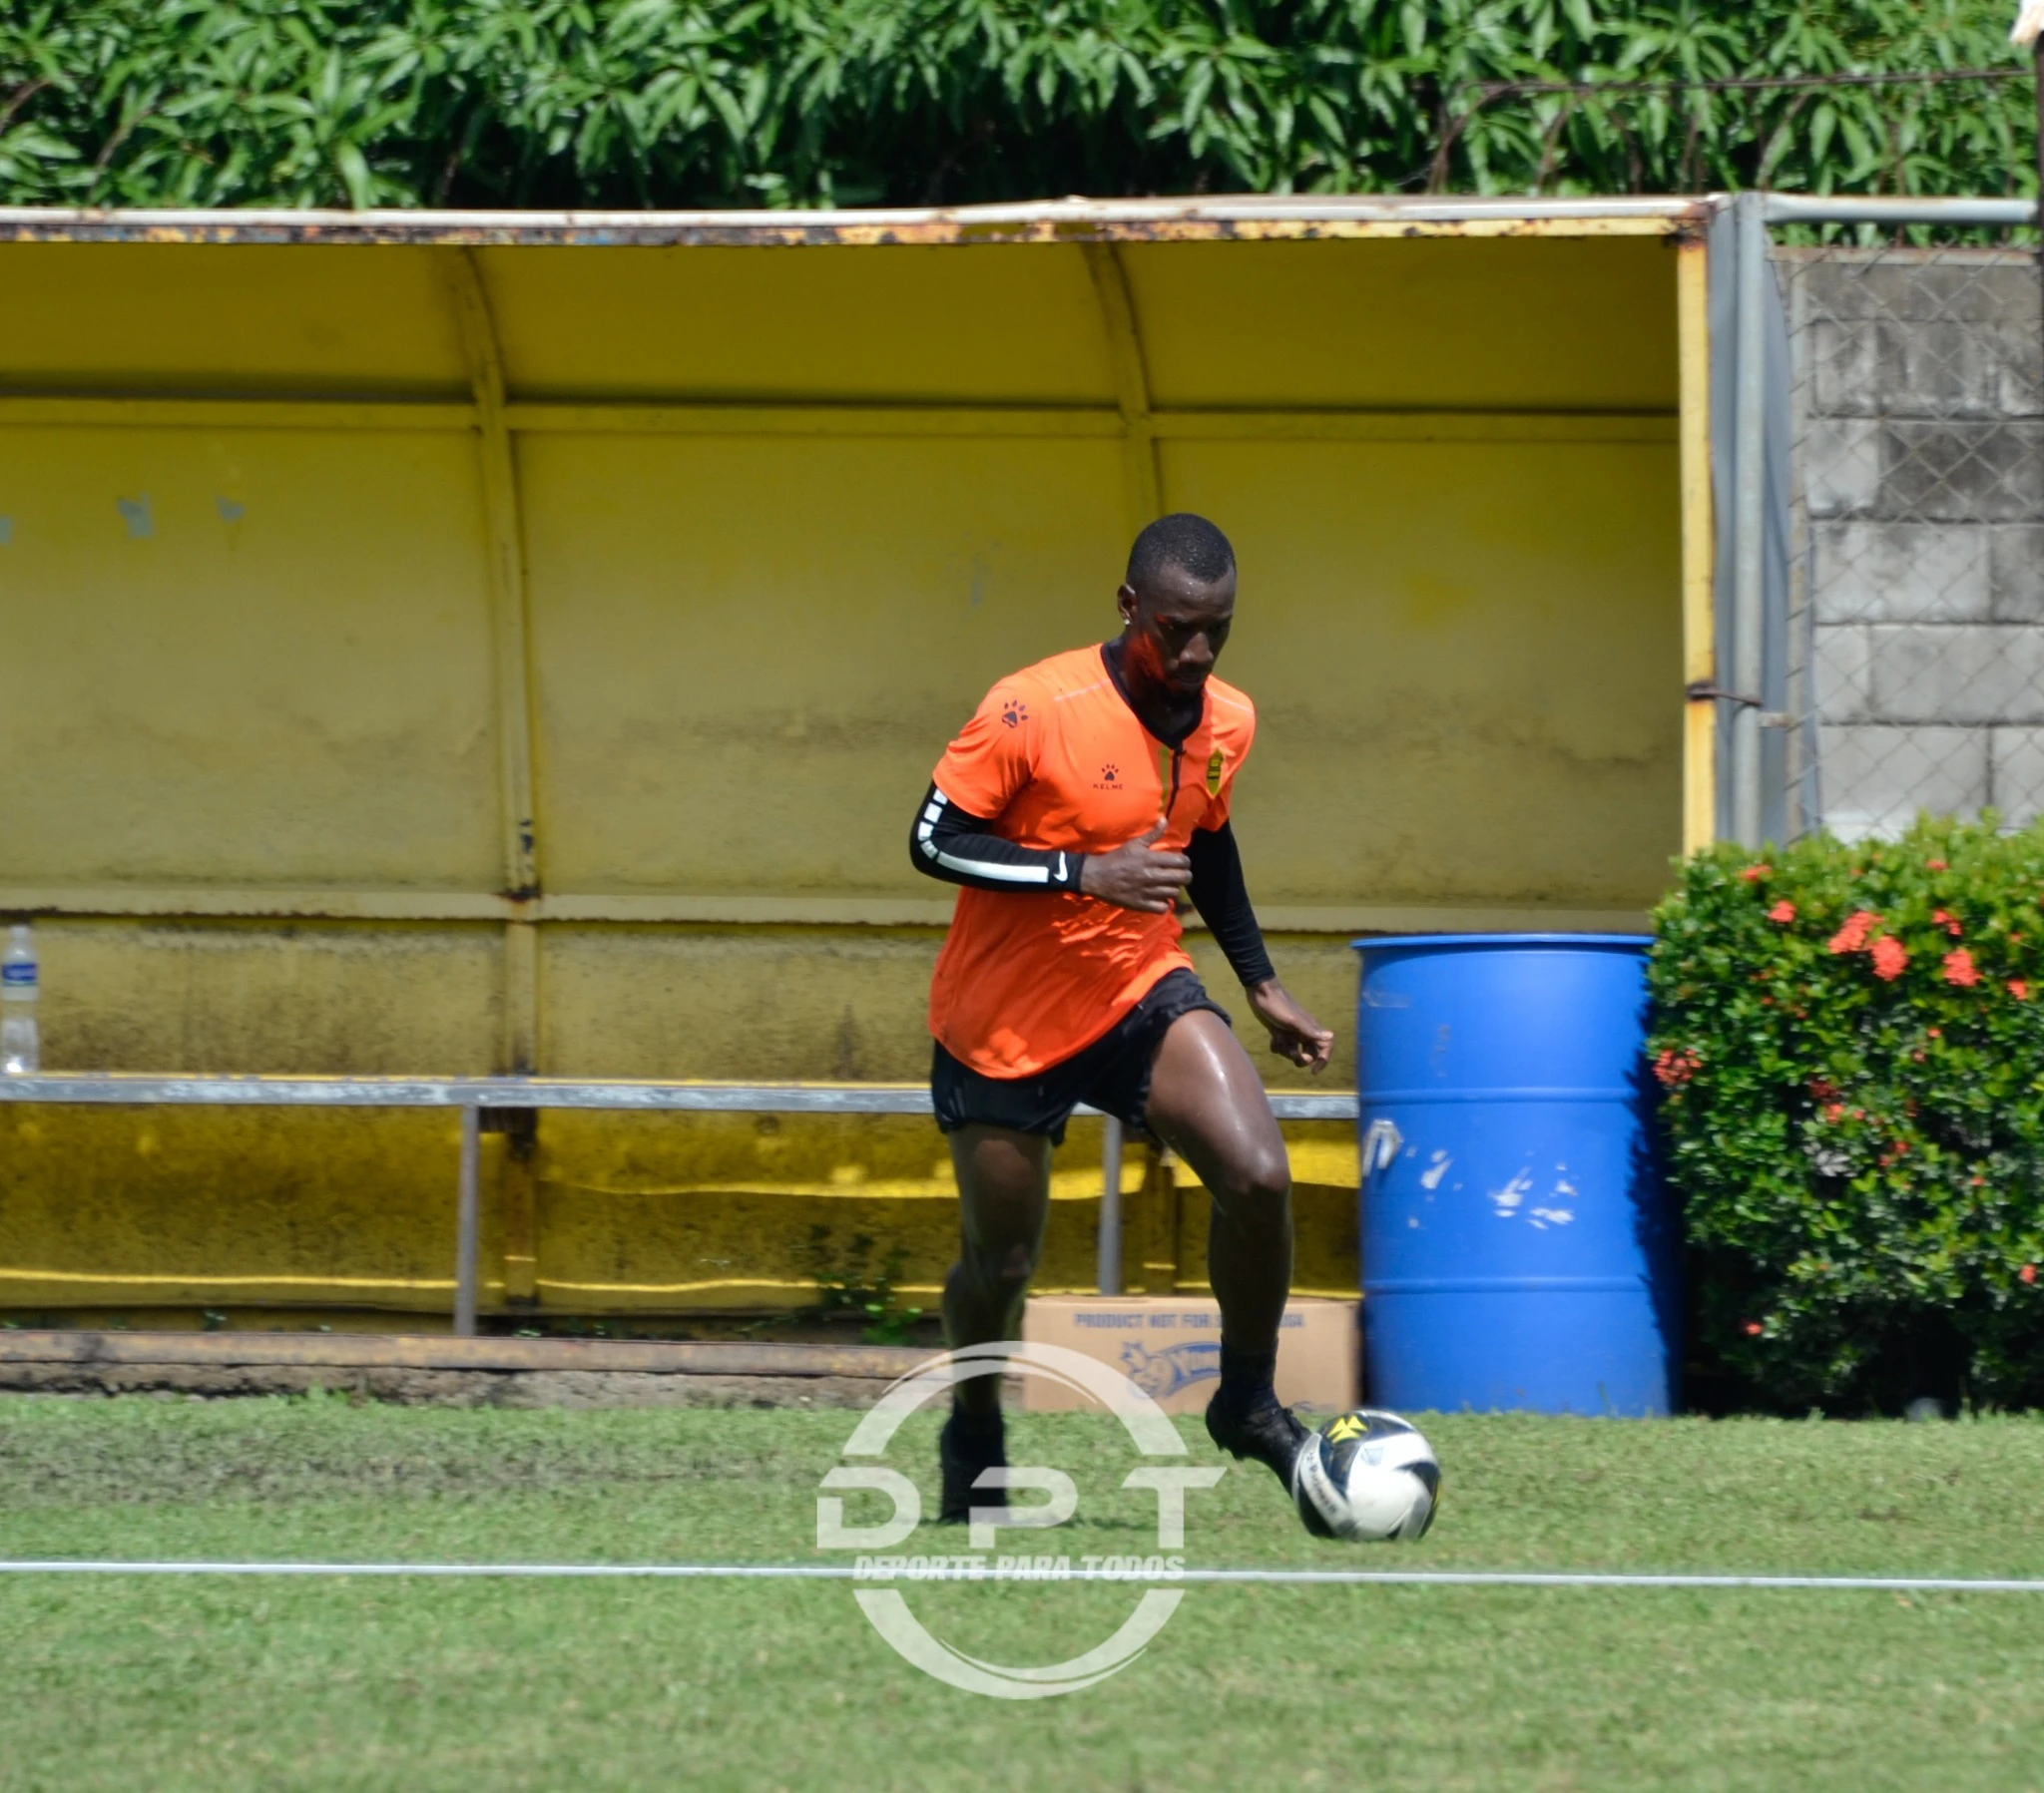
(1851, 1044)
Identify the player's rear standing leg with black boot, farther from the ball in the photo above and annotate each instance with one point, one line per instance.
(1005, 1199)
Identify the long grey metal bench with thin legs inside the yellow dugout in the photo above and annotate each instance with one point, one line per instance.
(473, 1097)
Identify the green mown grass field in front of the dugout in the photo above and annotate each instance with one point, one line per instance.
(175, 1684)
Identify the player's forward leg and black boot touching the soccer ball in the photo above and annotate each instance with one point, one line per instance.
(1209, 1107)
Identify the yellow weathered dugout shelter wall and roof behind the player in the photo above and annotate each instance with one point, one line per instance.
(453, 645)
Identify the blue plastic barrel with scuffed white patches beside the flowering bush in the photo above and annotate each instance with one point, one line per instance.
(1516, 1236)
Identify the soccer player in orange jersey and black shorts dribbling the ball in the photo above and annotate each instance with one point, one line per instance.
(1084, 796)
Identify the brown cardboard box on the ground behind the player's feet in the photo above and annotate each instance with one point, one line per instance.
(1170, 1348)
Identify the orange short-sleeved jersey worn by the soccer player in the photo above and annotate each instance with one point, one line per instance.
(1060, 762)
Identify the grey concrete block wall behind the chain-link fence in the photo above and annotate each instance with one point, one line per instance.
(1920, 455)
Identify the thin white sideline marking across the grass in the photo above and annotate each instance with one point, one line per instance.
(833, 1571)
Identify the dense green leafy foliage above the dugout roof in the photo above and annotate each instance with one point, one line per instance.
(943, 101)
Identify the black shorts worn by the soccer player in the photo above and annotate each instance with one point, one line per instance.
(1111, 1074)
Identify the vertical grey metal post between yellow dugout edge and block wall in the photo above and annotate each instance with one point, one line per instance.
(1749, 514)
